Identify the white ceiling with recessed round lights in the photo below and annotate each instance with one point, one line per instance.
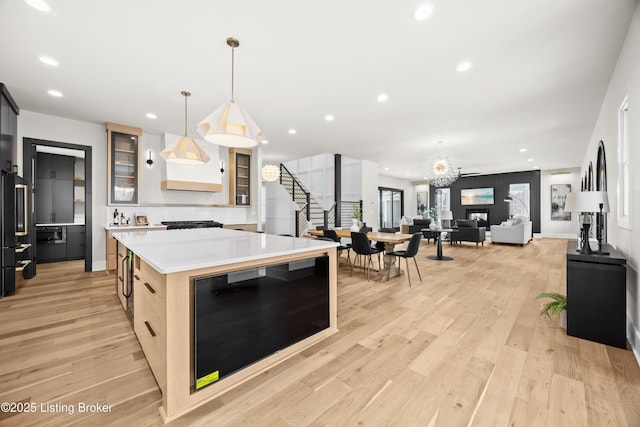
(540, 71)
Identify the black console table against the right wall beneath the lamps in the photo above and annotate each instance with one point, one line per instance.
(596, 296)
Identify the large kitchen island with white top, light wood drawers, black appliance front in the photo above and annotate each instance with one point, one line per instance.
(214, 307)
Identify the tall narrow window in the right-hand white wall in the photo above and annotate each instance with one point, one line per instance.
(624, 167)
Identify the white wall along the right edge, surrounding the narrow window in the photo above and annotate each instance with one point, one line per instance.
(625, 81)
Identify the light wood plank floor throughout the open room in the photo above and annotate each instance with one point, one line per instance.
(466, 346)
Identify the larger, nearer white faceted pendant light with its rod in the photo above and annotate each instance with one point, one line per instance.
(230, 125)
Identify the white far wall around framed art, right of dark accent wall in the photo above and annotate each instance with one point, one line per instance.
(558, 229)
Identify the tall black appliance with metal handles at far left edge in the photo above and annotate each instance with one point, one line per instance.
(16, 253)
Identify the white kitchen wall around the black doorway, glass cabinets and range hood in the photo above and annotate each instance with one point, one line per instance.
(52, 128)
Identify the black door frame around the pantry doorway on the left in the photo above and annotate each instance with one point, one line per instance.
(28, 151)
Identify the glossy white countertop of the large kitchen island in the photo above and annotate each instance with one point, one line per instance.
(172, 251)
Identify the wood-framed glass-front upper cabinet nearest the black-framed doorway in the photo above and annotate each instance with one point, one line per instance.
(123, 163)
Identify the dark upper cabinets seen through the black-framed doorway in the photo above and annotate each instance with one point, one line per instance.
(54, 188)
